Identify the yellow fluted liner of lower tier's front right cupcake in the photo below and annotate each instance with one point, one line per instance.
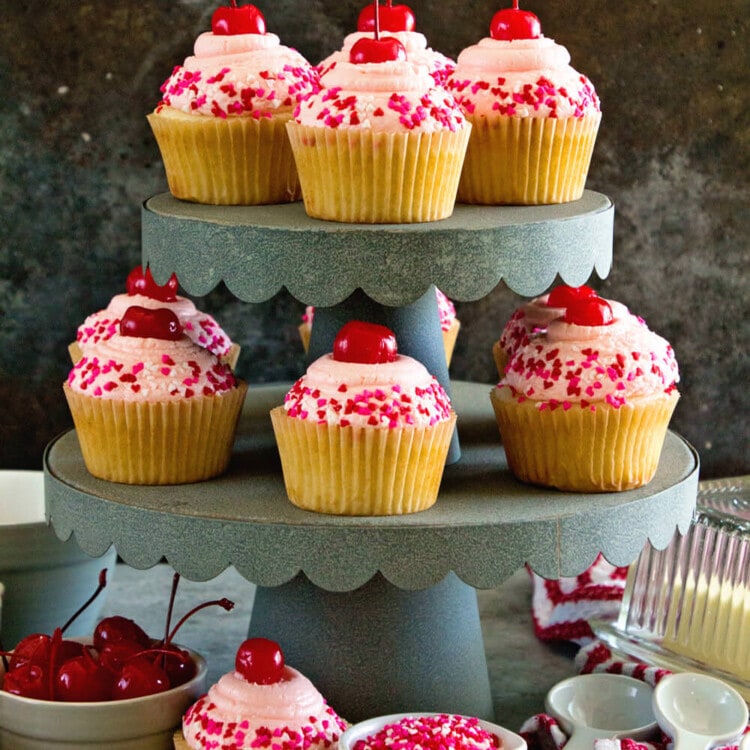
(576, 449)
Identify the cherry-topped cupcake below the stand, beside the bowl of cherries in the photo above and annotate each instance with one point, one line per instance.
(262, 703)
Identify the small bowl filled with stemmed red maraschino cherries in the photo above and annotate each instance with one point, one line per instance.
(120, 688)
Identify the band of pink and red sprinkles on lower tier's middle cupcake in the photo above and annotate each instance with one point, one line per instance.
(388, 406)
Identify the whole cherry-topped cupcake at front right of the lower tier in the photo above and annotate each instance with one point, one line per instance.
(584, 406)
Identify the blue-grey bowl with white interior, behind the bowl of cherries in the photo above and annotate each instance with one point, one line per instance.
(46, 580)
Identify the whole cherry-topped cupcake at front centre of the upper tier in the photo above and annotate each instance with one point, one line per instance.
(380, 142)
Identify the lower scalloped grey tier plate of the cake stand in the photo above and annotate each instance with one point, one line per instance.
(484, 526)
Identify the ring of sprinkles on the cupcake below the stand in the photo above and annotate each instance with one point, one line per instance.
(216, 734)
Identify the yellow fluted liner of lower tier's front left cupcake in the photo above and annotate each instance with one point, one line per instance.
(165, 442)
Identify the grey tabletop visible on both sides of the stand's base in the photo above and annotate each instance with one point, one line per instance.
(521, 668)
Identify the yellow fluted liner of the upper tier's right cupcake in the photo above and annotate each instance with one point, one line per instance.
(527, 160)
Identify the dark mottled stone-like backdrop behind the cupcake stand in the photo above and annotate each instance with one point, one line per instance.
(77, 159)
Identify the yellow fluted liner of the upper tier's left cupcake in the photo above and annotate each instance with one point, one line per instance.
(232, 161)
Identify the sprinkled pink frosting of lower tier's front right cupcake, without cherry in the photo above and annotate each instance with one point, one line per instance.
(574, 364)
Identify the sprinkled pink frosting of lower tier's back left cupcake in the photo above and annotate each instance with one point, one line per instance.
(200, 327)
